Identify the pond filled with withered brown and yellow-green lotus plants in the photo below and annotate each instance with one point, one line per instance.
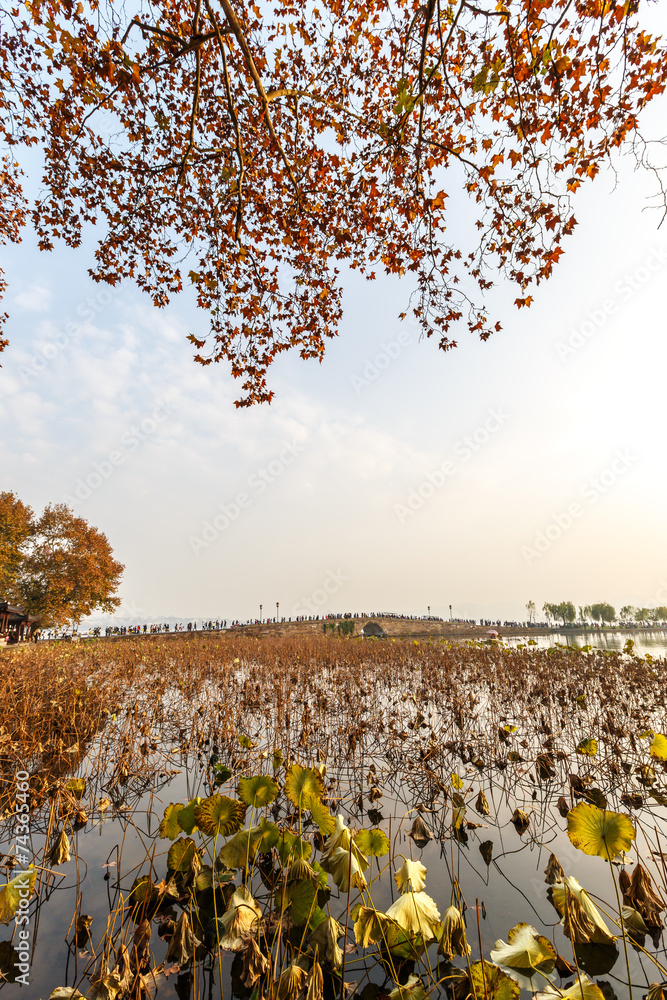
(321, 818)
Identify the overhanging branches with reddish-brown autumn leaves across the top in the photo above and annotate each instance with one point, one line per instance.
(252, 149)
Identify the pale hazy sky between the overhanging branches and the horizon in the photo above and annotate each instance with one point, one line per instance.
(392, 476)
